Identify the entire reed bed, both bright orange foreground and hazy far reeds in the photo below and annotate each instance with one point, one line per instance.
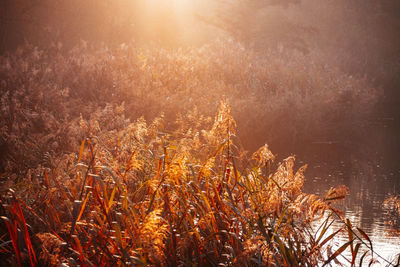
(116, 157)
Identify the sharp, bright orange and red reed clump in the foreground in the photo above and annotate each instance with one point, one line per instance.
(138, 194)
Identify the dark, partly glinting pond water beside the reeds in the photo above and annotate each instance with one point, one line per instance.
(370, 167)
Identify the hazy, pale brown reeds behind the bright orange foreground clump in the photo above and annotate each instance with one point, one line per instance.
(45, 93)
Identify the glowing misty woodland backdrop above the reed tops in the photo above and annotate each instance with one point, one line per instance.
(358, 38)
